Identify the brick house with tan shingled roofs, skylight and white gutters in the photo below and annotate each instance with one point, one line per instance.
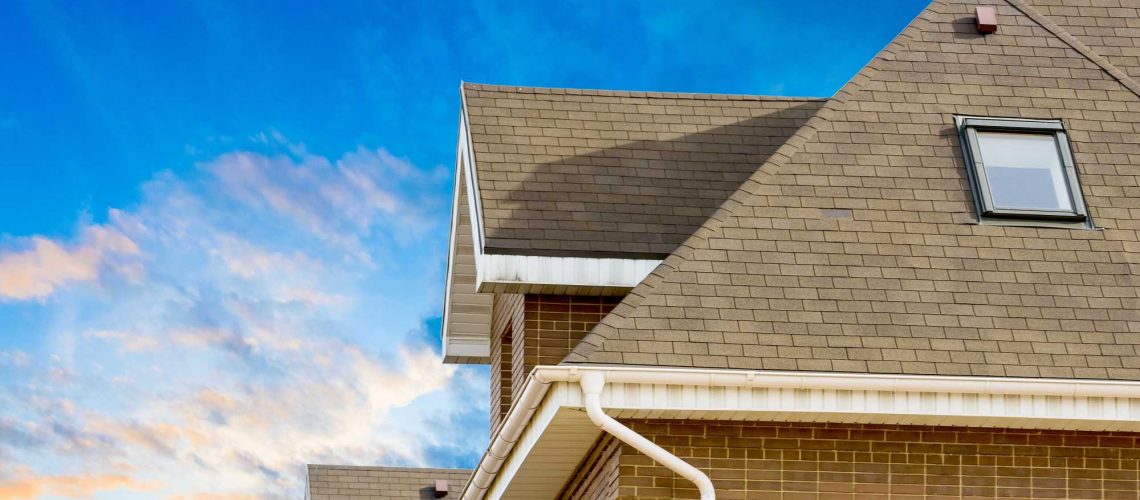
(924, 286)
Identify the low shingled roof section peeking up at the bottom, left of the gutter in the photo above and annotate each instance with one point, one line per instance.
(329, 482)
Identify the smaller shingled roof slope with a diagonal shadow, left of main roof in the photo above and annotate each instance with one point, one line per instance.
(591, 173)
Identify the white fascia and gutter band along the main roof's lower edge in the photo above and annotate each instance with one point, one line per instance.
(744, 396)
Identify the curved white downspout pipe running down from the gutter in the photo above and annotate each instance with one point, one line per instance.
(592, 383)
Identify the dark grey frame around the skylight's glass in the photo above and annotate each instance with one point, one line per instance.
(968, 130)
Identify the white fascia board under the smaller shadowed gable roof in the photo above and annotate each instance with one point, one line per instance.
(564, 272)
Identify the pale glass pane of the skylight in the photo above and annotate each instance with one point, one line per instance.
(1024, 171)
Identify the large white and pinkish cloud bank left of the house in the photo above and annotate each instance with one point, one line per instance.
(259, 314)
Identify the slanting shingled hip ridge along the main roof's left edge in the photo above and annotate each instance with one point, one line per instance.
(595, 340)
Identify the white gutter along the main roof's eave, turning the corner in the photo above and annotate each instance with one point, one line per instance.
(541, 379)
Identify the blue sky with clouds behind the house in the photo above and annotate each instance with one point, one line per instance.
(224, 224)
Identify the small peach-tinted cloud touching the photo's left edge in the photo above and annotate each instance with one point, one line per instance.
(45, 266)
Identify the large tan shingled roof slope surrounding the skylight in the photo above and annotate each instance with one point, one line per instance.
(856, 248)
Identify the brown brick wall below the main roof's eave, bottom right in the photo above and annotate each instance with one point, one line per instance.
(873, 462)
